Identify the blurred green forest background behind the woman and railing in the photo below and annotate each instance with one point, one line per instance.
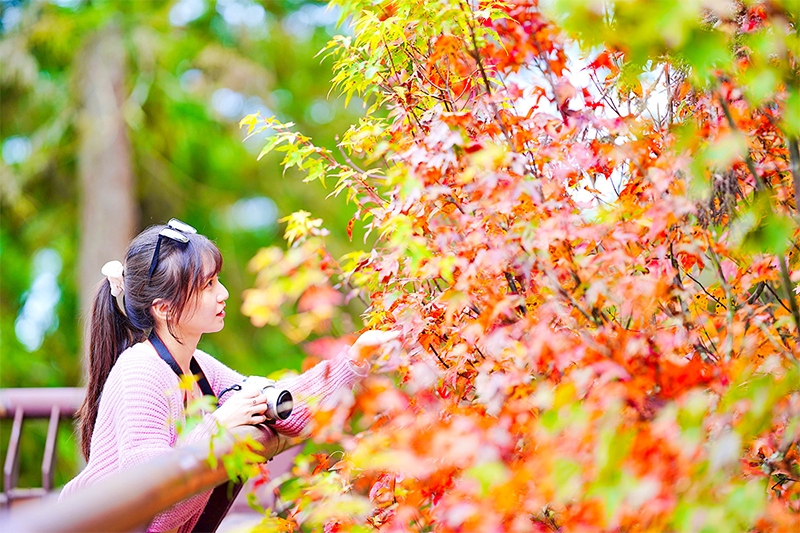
(115, 115)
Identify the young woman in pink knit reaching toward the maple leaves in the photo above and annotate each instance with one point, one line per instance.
(147, 318)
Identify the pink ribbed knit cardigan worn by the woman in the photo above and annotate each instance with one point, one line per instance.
(141, 405)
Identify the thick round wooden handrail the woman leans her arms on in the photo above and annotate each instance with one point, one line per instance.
(128, 501)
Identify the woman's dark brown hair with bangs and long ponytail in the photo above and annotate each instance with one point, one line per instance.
(182, 270)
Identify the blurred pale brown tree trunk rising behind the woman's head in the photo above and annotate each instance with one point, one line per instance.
(108, 206)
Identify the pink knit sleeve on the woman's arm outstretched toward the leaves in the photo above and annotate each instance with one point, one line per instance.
(322, 385)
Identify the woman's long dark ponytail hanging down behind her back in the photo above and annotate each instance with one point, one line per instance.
(109, 334)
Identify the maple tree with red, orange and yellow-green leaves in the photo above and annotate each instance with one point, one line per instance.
(585, 221)
